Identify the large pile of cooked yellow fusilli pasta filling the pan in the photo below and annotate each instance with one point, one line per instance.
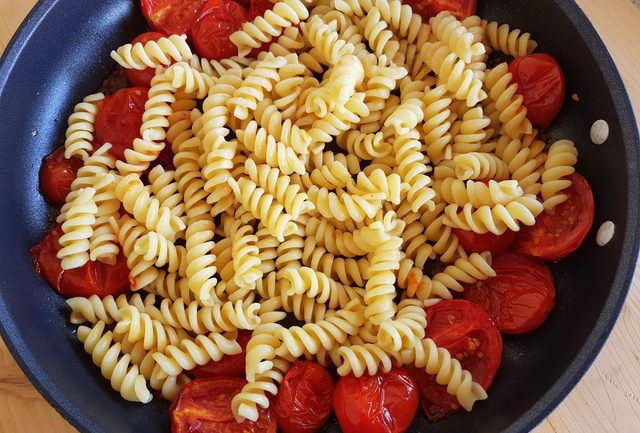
(314, 181)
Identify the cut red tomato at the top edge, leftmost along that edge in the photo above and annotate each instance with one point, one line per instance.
(171, 16)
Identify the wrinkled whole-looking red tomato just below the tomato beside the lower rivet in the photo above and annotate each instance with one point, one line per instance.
(521, 295)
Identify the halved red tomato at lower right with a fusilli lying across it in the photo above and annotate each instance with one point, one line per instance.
(471, 337)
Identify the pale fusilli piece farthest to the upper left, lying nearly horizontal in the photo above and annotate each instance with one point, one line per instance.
(164, 51)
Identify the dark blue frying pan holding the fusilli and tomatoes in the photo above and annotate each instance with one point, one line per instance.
(61, 54)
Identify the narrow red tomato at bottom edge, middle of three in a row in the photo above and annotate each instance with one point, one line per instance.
(303, 403)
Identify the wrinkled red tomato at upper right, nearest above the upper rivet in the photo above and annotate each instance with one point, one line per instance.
(541, 82)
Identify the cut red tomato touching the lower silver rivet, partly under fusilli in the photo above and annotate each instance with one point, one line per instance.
(557, 235)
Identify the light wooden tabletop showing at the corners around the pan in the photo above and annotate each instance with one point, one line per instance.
(608, 397)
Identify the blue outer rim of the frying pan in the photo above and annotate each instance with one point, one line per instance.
(578, 367)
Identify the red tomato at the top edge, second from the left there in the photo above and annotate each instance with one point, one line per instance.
(215, 22)
